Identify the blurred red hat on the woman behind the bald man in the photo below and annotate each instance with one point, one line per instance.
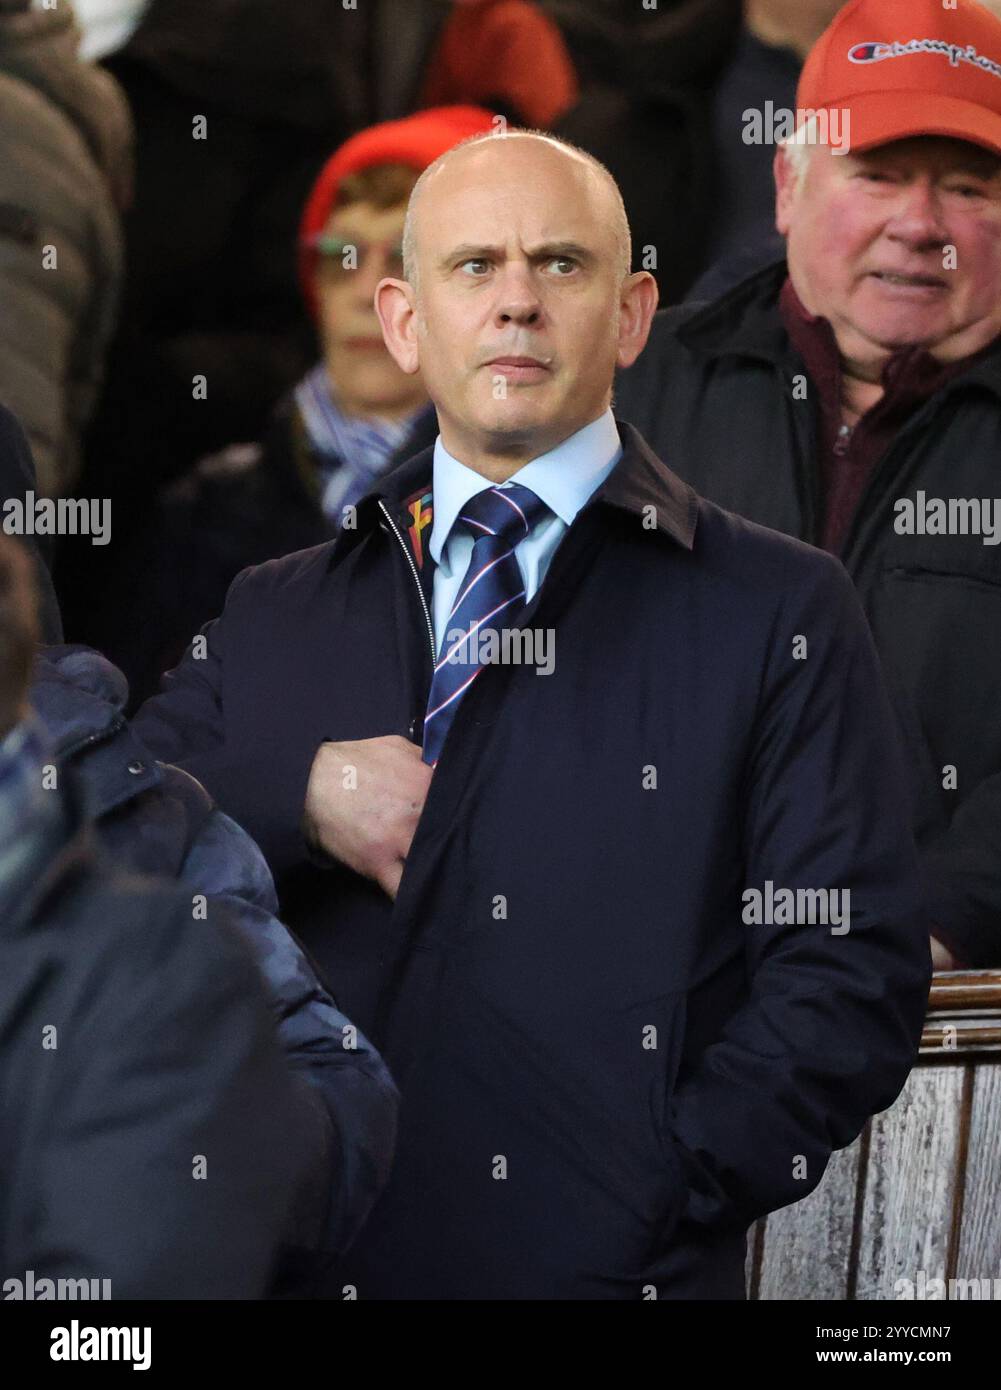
(416, 141)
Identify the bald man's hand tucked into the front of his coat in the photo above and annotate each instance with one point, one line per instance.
(364, 803)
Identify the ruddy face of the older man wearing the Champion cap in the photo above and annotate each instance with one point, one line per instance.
(899, 247)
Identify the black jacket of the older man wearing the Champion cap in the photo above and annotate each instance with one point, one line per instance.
(725, 395)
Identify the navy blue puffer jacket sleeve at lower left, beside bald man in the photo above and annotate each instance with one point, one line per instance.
(156, 819)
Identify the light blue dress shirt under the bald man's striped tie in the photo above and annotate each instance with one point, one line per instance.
(564, 479)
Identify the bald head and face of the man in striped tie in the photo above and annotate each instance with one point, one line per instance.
(518, 312)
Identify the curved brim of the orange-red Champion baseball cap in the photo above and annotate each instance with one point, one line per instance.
(881, 117)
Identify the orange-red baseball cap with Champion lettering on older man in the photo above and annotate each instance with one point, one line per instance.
(909, 67)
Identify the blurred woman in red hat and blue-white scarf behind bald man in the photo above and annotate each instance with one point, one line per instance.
(343, 427)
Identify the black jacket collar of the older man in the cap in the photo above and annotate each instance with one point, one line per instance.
(747, 323)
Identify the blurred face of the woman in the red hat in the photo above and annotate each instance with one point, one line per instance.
(366, 379)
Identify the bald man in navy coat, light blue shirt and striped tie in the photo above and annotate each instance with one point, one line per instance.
(583, 793)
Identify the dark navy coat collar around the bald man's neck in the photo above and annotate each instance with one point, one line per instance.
(639, 482)
